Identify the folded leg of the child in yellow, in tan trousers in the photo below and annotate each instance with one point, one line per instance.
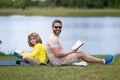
(31, 60)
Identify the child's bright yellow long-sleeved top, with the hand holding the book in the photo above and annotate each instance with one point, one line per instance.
(39, 52)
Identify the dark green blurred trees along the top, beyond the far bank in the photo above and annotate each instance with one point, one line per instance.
(99, 4)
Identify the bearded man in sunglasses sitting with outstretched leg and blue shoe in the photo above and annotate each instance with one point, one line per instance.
(58, 57)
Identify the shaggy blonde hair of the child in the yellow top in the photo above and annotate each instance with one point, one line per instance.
(36, 36)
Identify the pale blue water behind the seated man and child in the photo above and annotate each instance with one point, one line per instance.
(100, 34)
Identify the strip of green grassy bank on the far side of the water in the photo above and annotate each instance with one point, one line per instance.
(61, 12)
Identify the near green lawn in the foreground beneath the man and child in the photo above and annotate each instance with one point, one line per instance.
(91, 72)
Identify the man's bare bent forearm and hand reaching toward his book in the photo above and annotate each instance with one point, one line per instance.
(60, 53)
